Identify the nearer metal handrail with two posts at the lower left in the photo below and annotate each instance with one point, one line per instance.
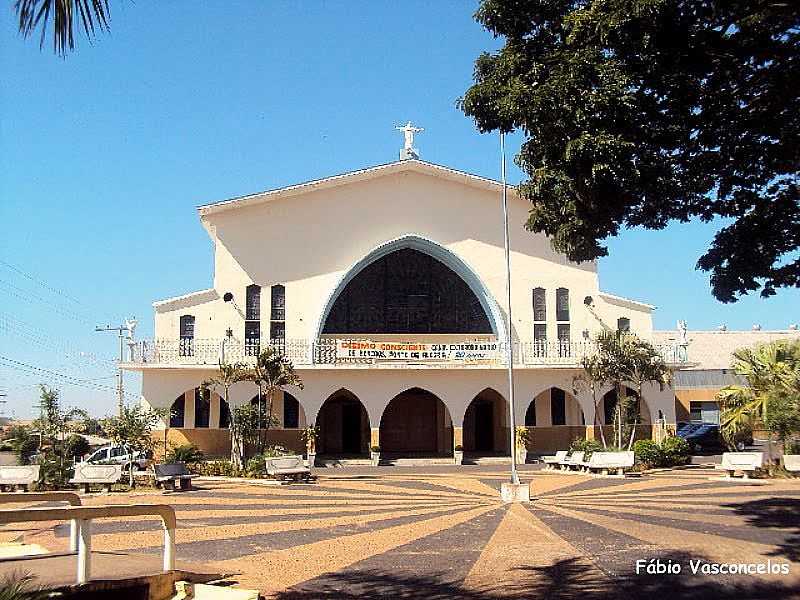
(84, 515)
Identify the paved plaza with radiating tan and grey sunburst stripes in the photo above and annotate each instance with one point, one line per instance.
(441, 532)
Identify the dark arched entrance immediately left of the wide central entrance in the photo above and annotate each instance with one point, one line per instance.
(343, 426)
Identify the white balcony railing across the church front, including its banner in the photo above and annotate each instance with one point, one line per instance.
(303, 352)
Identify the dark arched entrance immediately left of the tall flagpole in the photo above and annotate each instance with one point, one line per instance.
(486, 424)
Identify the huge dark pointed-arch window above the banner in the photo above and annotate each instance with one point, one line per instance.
(407, 291)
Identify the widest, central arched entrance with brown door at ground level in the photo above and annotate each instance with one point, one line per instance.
(416, 423)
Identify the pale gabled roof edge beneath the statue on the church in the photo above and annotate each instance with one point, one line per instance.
(399, 166)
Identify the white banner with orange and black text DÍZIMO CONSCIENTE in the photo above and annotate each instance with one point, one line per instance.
(412, 351)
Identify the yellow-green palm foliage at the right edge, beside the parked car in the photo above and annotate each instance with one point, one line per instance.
(771, 381)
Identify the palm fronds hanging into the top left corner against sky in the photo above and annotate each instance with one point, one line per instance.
(63, 14)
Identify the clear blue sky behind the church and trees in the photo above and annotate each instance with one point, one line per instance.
(104, 156)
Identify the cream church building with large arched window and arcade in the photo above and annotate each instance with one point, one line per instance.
(385, 287)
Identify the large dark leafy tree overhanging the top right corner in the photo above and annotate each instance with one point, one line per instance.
(640, 112)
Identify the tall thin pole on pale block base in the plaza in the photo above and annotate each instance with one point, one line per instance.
(513, 491)
